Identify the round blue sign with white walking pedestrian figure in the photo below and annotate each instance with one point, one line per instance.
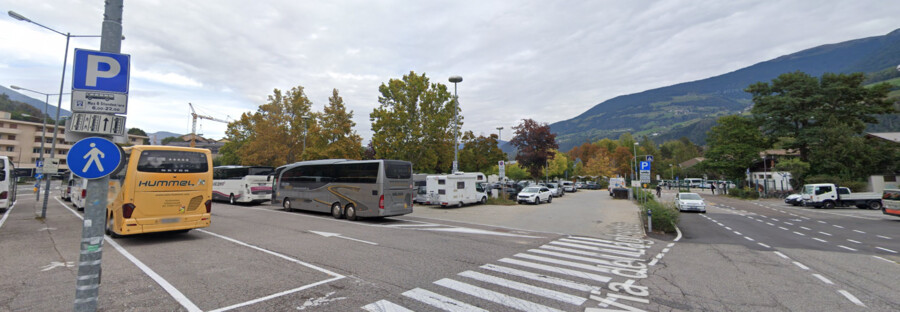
(93, 158)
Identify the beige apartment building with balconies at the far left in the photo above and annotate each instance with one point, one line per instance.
(21, 141)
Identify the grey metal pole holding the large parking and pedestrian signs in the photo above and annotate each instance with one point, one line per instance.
(92, 233)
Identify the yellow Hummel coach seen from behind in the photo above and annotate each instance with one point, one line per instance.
(159, 189)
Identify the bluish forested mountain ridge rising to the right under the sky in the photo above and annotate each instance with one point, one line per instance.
(689, 109)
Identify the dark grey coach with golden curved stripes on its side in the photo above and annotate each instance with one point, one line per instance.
(347, 188)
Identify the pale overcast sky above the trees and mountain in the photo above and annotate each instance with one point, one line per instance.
(545, 60)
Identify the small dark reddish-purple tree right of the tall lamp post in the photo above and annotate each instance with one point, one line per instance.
(535, 144)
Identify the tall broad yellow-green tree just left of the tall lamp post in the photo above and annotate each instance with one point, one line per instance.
(414, 122)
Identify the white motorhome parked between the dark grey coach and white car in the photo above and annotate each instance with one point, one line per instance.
(456, 189)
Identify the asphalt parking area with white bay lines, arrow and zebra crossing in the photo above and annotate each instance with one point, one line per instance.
(256, 258)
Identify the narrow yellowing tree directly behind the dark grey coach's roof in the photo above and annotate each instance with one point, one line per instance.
(339, 139)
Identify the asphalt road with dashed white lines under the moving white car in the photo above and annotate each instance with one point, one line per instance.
(769, 256)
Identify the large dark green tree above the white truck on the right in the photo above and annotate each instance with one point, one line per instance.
(796, 105)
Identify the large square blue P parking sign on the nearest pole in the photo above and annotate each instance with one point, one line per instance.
(100, 71)
